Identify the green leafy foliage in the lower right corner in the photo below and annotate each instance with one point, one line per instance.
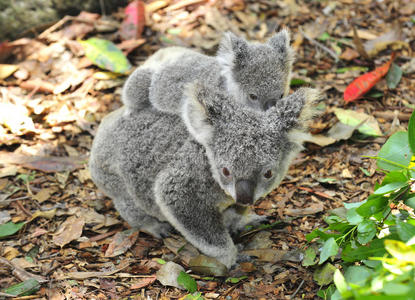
(374, 239)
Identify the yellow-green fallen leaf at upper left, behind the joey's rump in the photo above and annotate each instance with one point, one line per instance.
(106, 55)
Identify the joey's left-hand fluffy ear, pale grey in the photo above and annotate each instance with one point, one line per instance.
(232, 50)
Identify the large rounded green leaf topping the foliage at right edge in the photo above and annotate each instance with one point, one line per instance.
(395, 150)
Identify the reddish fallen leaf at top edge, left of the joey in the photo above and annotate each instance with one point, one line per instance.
(133, 25)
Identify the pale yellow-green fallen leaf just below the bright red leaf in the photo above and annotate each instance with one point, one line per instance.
(366, 124)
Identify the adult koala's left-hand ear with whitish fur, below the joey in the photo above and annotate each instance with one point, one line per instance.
(195, 112)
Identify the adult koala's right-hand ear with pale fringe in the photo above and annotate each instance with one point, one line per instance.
(295, 110)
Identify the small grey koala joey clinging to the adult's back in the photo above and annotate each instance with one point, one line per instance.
(256, 74)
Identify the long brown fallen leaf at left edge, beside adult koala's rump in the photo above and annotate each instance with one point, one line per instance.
(48, 164)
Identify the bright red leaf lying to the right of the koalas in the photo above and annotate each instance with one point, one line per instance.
(364, 83)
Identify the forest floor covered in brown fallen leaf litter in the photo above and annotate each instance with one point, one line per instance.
(74, 242)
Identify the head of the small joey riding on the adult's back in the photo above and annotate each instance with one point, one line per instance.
(257, 74)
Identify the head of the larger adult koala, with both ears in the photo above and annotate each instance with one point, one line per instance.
(249, 150)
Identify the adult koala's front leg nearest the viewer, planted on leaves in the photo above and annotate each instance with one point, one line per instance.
(195, 217)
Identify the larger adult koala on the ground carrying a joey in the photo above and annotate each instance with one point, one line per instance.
(189, 171)
